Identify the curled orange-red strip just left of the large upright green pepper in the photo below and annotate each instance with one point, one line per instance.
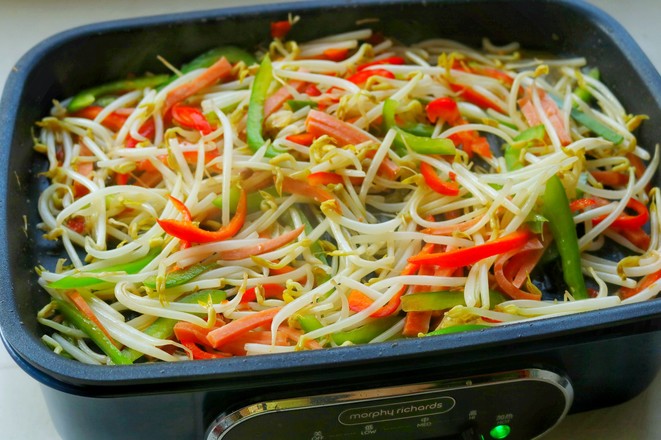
(526, 259)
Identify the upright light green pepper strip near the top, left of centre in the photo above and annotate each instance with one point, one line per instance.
(255, 119)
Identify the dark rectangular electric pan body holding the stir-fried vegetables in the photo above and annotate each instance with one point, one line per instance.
(609, 356)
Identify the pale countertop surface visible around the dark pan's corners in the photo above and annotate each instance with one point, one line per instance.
(23, 412)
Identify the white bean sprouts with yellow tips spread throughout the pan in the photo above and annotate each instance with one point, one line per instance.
(371, 227)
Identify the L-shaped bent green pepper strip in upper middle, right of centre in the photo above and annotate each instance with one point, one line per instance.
(419, 144)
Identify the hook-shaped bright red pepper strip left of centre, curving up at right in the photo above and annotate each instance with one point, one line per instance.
(188, 231)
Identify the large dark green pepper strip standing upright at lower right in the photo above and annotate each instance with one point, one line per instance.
(561, 222)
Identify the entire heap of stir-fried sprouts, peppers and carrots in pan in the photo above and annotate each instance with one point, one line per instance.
(340, 191)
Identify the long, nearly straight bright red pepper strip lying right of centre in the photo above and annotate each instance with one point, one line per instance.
(471, 255)
